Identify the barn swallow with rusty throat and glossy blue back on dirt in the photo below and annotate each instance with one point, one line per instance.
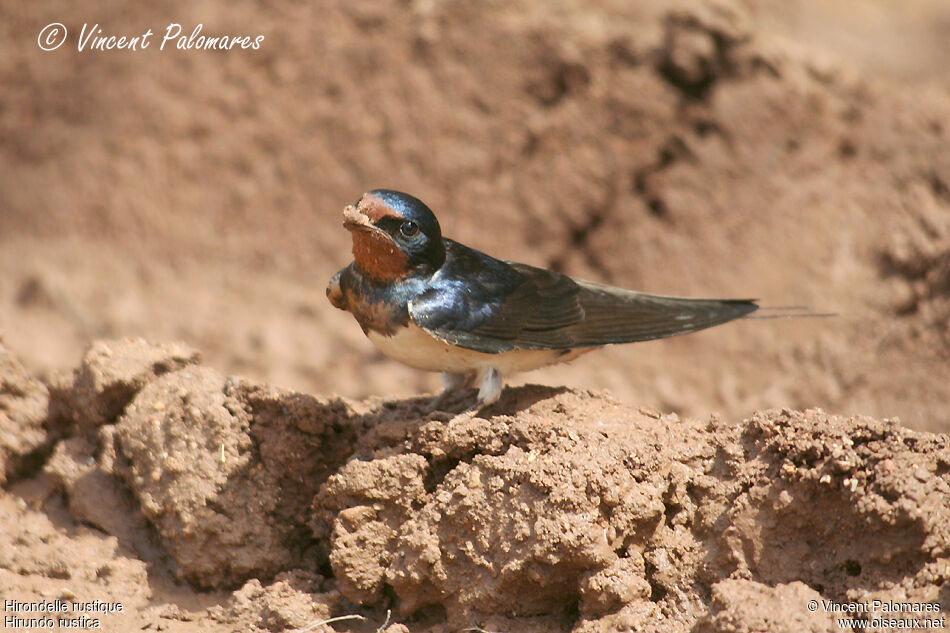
(438, 305)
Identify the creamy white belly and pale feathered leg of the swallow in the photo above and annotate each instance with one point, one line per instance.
(415, 347)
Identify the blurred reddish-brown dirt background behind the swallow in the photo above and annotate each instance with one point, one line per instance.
(795, 152)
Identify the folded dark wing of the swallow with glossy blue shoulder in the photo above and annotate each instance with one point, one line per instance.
(523, 307)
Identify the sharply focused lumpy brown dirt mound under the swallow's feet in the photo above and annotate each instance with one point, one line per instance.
(556, 510)
